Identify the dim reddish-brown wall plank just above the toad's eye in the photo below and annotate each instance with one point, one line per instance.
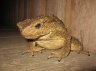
(36, 8)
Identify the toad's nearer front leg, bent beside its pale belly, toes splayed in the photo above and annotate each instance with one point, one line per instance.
(62, 52)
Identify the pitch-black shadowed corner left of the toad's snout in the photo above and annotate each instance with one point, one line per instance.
(6, 7)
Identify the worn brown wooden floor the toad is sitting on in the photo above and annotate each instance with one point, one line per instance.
(11, 59)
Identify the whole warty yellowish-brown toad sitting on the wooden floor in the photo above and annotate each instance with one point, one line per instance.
(49, 32)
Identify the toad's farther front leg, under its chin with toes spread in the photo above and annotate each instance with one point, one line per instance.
(33, 48)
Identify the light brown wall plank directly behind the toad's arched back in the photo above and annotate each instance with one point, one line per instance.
(56, 8)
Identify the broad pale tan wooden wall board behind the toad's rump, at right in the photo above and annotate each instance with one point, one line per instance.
(83, 18)
